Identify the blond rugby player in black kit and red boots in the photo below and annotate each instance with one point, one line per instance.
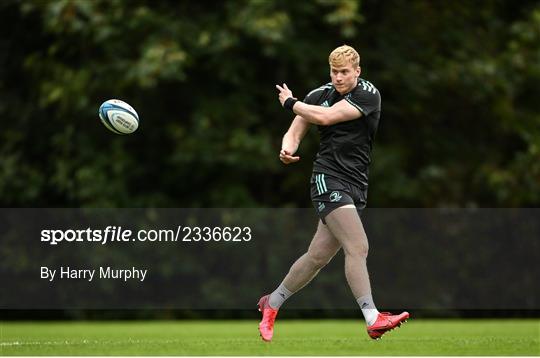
(346, 112)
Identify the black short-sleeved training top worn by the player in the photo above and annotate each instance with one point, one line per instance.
(345, 147)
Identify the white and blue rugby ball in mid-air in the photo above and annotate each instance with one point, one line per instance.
(118, 116)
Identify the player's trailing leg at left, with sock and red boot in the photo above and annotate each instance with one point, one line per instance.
(321, 250)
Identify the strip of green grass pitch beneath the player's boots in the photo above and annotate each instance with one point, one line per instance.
(325, 337)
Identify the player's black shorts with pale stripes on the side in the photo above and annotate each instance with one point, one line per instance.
(329, 193)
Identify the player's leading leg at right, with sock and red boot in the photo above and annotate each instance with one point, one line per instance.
(346, 226)
